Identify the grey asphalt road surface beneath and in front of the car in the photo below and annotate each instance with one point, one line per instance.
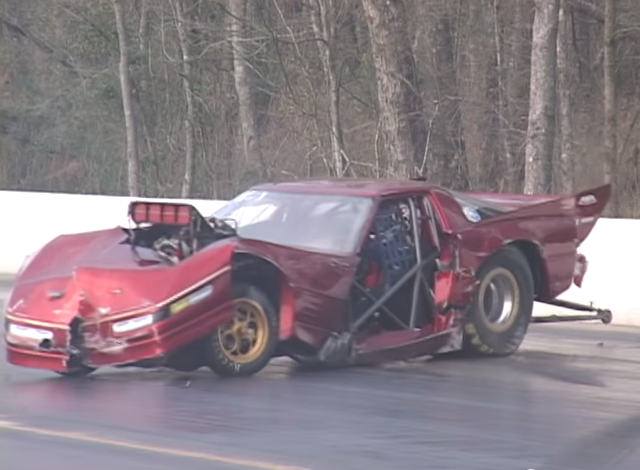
(570, 399)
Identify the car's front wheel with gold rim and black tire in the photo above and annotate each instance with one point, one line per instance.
(246, 344)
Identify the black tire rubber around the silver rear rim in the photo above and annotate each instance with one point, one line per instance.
(478, 336)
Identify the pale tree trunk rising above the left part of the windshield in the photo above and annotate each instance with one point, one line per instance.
(247, 107)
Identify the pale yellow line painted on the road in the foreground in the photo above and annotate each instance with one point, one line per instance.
(75, 436)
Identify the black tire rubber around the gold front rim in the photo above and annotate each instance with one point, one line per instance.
(219, 363)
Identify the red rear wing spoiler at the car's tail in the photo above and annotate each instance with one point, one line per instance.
(585, 207)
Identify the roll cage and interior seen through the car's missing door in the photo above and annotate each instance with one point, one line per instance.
(398, 256)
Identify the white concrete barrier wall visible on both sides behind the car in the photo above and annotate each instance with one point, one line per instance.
(32, 219)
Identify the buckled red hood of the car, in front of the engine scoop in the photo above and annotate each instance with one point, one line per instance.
(95, 273)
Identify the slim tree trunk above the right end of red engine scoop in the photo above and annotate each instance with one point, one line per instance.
(189, 121)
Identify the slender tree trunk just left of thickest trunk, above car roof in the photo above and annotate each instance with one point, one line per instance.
(324, 27)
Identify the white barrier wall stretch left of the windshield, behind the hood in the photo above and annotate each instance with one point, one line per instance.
(31, 219)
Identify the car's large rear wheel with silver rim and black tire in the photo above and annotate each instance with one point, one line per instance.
(502, 306)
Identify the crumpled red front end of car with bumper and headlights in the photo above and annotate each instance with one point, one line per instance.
(103, 317)
